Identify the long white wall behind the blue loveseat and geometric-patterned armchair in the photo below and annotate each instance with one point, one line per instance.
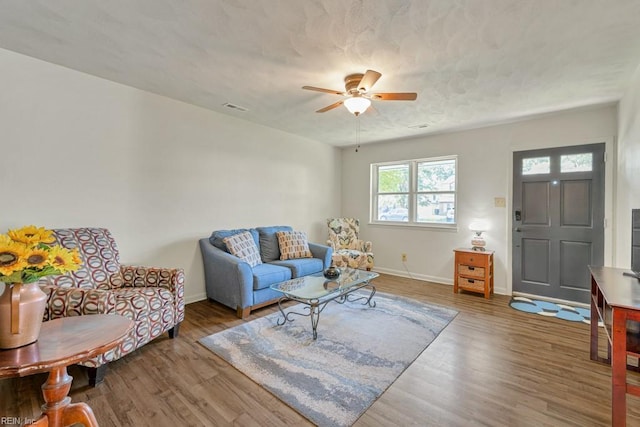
(77, 150)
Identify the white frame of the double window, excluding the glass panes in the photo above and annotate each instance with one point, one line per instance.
(412, 193)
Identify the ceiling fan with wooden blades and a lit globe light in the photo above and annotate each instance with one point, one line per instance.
(357, 88)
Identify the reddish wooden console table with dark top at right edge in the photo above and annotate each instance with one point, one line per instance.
(615, 298)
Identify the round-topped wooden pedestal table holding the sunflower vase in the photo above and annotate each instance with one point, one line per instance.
(64, 342)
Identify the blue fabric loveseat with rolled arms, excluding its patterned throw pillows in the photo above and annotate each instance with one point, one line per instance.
(235, 283)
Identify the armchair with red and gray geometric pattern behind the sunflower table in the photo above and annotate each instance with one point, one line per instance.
(152, 297)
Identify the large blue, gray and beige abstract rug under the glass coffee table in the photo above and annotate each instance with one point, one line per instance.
(359, 353)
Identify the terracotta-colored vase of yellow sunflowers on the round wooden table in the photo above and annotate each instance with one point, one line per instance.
(26, 255)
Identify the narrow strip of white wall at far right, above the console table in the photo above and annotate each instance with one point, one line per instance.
(628, 176)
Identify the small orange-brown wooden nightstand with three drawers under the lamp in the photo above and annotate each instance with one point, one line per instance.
(473, 271)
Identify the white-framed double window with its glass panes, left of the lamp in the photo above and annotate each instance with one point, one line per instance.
(414, 191)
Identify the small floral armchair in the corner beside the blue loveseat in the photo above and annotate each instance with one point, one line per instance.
(348, 249)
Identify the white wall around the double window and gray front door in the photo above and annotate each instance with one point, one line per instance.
(484, 173)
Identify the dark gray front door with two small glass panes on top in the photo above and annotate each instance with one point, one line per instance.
(558, 220)
